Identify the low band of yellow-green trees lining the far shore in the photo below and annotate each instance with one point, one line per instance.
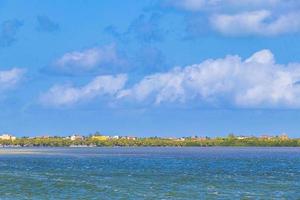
(231, 140)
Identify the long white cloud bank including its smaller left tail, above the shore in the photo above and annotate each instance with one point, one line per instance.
(255, 82)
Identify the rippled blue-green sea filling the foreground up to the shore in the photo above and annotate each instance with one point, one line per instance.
(150, 173)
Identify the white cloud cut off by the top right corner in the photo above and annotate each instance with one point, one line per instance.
(243, 17)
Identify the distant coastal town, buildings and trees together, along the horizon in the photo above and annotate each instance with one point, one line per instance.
(99, 140)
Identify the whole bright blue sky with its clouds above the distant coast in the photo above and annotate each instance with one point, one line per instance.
(150, 68)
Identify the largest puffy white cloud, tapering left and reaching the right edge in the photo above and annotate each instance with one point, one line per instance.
(254, 82)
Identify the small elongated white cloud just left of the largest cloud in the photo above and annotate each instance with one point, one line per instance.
(64, 95)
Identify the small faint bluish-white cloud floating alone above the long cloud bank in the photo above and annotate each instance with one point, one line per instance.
(88, 59)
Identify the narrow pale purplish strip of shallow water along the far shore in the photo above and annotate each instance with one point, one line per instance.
(129, 150)
